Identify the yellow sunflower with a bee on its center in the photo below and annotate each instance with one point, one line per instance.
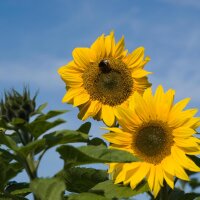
(102, 78)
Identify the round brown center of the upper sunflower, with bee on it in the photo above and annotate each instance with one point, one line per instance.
(108, 81)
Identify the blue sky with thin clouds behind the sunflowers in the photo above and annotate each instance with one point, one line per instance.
(37, 37)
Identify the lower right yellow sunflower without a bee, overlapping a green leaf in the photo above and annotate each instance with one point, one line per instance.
(160, 134)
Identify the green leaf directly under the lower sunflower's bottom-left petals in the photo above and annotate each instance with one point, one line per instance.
(111, 190)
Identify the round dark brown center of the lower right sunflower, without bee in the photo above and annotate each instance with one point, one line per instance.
(153, 141)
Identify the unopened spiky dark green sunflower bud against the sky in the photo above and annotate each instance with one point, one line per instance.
(14, 105)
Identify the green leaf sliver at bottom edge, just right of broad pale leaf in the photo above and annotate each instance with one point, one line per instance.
(86, 196)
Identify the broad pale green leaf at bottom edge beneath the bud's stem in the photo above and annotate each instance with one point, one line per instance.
(48, 188)
